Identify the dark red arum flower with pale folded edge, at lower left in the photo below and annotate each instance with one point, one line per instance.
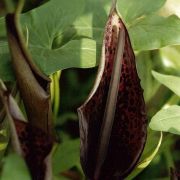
(30, 142)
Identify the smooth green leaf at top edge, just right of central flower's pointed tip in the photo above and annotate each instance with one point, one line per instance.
(133, 9)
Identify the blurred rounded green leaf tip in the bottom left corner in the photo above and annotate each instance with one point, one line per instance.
(14, 167)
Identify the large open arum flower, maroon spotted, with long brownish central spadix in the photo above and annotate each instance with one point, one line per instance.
(113, 120)
